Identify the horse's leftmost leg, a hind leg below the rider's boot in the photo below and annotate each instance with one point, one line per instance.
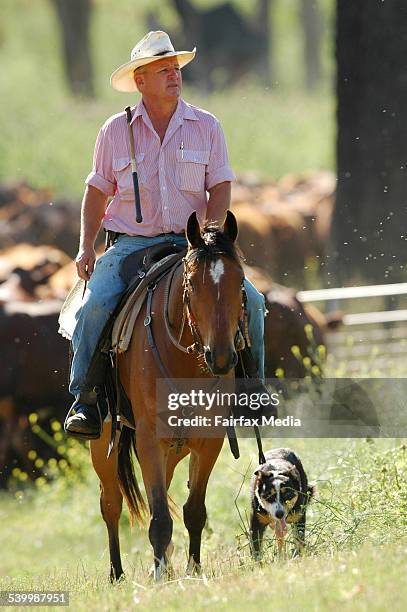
(110, 496)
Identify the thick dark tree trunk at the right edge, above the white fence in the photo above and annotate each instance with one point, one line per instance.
(369, 230)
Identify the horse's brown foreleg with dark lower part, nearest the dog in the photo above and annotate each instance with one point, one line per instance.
(200, 468)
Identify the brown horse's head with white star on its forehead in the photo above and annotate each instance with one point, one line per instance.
(213, 291)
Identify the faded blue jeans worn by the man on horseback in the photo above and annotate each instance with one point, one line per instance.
(104, 291)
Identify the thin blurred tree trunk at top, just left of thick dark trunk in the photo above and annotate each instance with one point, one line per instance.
(311, 21)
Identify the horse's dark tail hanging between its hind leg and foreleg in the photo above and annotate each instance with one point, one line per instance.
(127, 478)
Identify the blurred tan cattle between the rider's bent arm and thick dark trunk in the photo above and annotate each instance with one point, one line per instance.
(284, 225)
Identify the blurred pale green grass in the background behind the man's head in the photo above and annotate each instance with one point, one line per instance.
(48, 137)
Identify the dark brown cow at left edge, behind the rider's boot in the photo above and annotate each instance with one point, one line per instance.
(33, 378)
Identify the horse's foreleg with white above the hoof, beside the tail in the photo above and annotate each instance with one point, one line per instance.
(152, 459)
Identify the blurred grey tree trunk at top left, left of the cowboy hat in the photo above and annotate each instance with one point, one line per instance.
(74, 19)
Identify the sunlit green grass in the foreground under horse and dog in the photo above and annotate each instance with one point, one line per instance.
(54, 538)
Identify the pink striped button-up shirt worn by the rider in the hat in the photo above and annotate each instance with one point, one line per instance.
(173, 175)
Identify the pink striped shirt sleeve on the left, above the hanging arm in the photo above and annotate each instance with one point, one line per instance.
(102, 176)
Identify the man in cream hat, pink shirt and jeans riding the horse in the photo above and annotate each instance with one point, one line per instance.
(181, 156)
